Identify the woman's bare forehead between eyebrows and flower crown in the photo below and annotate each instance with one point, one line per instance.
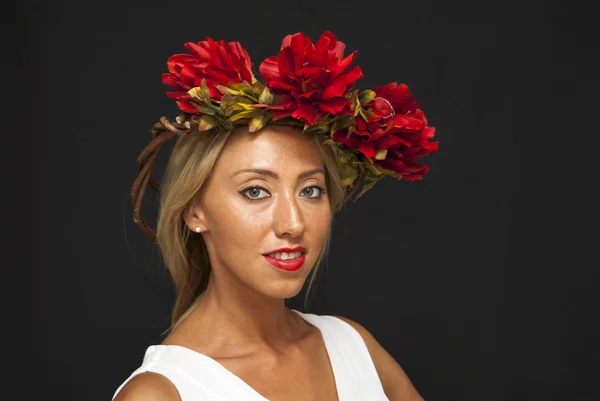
(274, 147)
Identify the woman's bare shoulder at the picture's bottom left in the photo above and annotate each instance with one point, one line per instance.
(148, 386)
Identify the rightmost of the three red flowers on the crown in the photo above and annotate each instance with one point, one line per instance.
(395, 133)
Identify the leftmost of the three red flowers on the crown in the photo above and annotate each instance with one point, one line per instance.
(219, 63)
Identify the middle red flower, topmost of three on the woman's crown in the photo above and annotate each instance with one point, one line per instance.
(310, 78)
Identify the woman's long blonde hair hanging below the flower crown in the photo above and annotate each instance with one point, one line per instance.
(185, 255)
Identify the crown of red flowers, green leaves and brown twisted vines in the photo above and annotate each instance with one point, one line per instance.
(373, 133)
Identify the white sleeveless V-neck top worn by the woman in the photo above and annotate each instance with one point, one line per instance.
(198, 377)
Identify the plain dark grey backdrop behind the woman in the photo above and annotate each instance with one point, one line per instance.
(479, 279)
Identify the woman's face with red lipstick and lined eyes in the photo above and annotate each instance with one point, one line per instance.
(266, 192)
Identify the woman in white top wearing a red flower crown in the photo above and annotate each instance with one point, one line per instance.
(246, 209)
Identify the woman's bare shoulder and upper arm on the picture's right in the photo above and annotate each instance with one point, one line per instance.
(396, 384)
